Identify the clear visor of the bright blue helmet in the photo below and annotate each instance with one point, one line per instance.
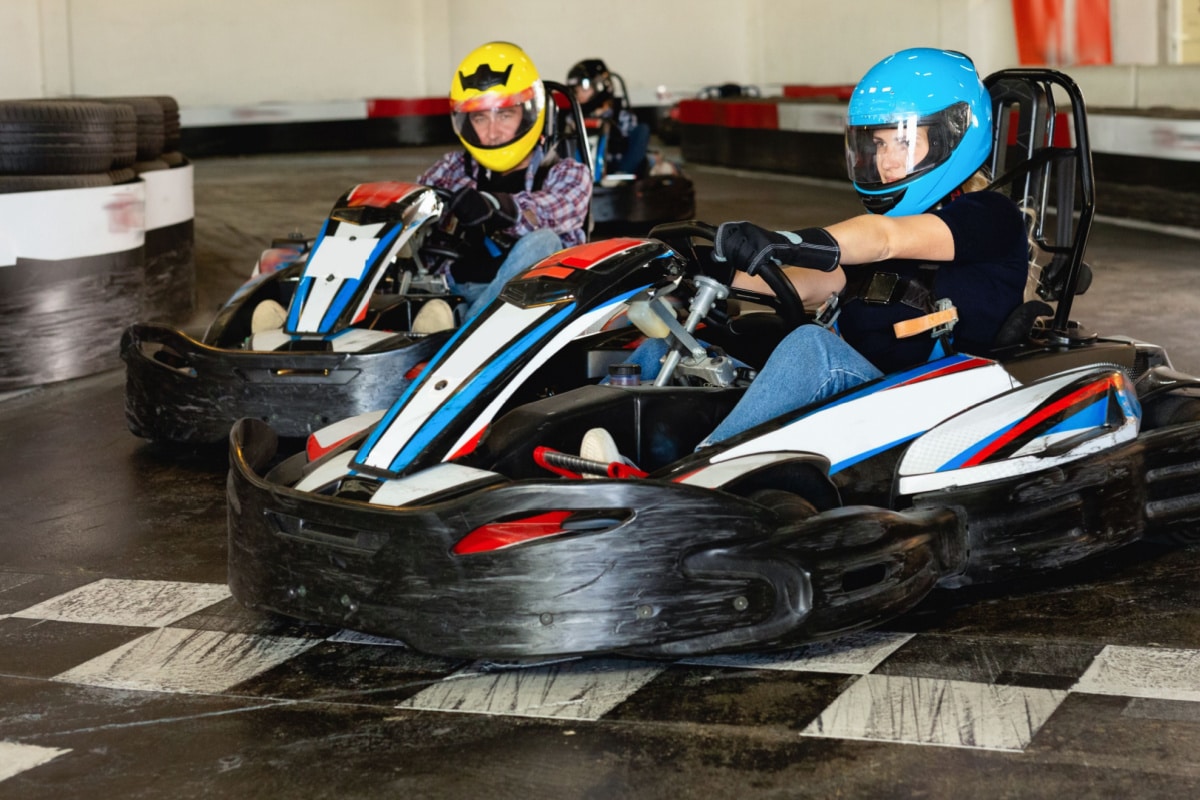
(904, 148)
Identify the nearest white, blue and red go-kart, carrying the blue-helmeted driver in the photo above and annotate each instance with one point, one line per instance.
(463, 524)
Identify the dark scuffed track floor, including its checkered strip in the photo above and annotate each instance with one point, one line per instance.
(128, 671)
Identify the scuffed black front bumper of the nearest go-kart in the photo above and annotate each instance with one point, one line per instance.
(649, 568)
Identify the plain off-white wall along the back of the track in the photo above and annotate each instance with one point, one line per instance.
(231, 53)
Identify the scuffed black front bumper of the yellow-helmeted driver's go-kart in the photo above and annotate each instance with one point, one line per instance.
(199, 392)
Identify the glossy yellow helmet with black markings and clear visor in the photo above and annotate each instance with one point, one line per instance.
(499, 106)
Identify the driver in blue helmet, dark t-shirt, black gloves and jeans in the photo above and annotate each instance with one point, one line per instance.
(919, 137)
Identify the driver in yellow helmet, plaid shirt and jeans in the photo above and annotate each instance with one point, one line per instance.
(518, 200)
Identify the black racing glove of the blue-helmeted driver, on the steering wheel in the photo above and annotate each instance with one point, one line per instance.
(748, 248)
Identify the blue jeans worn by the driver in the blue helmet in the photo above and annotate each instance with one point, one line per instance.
(809, 365)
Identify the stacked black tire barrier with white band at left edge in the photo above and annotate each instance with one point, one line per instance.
(98, 232)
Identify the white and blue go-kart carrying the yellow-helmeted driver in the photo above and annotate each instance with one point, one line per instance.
(345, 345)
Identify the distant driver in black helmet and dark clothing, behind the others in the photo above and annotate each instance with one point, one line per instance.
(628, 139)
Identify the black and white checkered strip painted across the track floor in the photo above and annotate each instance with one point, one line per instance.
(914, 689)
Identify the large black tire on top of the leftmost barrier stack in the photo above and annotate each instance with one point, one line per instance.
(56, 137)
